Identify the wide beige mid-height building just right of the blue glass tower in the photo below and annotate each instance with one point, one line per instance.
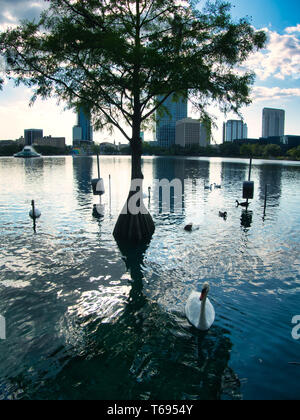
(190, 132)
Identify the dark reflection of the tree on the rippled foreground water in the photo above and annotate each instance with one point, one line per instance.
(143, 353)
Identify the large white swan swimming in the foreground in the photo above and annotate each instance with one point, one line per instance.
(199, 311)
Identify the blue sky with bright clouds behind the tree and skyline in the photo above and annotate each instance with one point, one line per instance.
(277, 69)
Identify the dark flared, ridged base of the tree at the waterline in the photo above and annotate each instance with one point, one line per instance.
(134, 228)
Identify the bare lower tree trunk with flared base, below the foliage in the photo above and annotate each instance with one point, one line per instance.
(135, 224)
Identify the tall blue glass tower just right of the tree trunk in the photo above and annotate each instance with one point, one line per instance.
(166, 124)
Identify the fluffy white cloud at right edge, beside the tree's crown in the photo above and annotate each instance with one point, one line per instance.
(280, 59)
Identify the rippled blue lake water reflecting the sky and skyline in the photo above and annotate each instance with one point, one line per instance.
(84, 321)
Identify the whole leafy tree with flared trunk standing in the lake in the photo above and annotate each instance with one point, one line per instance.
(115, 58)
